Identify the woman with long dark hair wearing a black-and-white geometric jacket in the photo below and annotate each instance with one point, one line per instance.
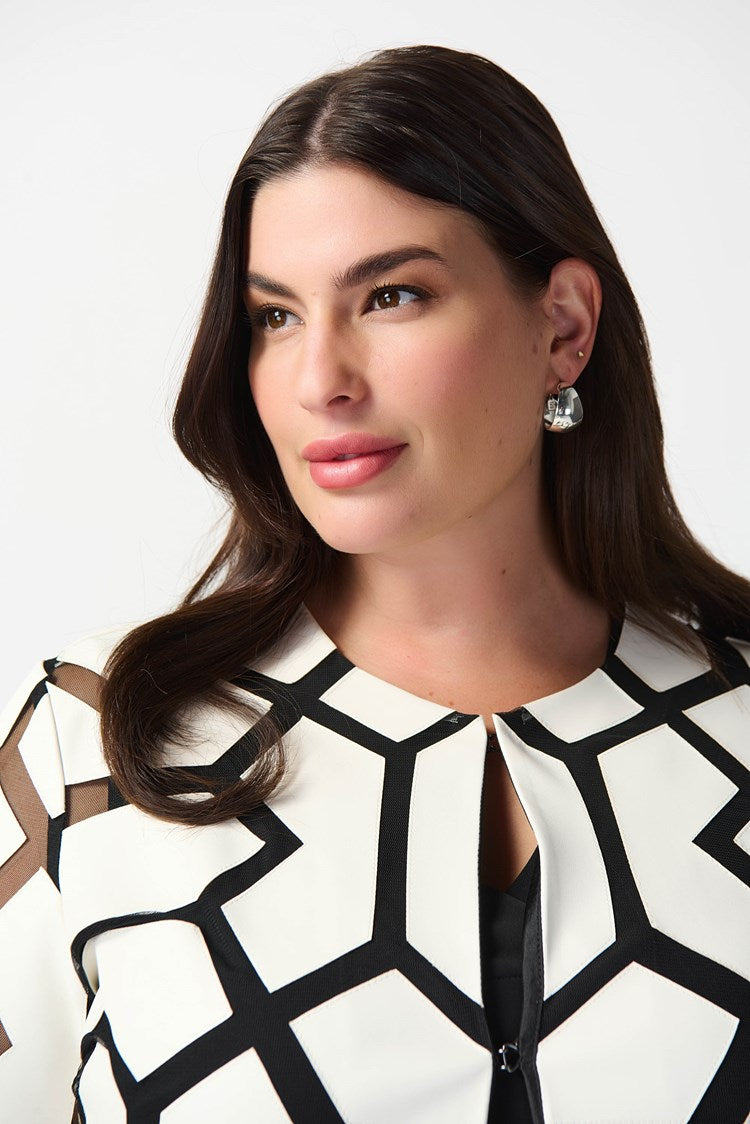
(430, 803)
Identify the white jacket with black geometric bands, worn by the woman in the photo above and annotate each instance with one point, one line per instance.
(319, 960)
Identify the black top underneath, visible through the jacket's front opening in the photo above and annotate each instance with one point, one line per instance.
(502, 919)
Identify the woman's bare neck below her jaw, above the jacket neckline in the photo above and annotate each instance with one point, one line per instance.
(483, 590)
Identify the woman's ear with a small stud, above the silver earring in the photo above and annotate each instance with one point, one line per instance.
(572, 305)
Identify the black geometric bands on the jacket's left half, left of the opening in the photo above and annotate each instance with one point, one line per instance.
(261, 1020)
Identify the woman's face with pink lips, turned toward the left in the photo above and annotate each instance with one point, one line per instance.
(428, 351)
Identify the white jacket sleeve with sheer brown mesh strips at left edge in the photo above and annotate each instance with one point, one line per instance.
(42, 1001)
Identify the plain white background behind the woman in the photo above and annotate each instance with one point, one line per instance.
(123, 125)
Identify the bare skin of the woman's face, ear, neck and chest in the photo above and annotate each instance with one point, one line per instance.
(450, 584)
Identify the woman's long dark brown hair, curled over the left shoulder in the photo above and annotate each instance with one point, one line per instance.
(454, 128)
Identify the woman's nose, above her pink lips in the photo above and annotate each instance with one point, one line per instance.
(331, 369)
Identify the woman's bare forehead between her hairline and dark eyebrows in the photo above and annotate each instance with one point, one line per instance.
(335, 212)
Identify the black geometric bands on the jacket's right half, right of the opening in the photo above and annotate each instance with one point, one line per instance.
(728, 1096)
